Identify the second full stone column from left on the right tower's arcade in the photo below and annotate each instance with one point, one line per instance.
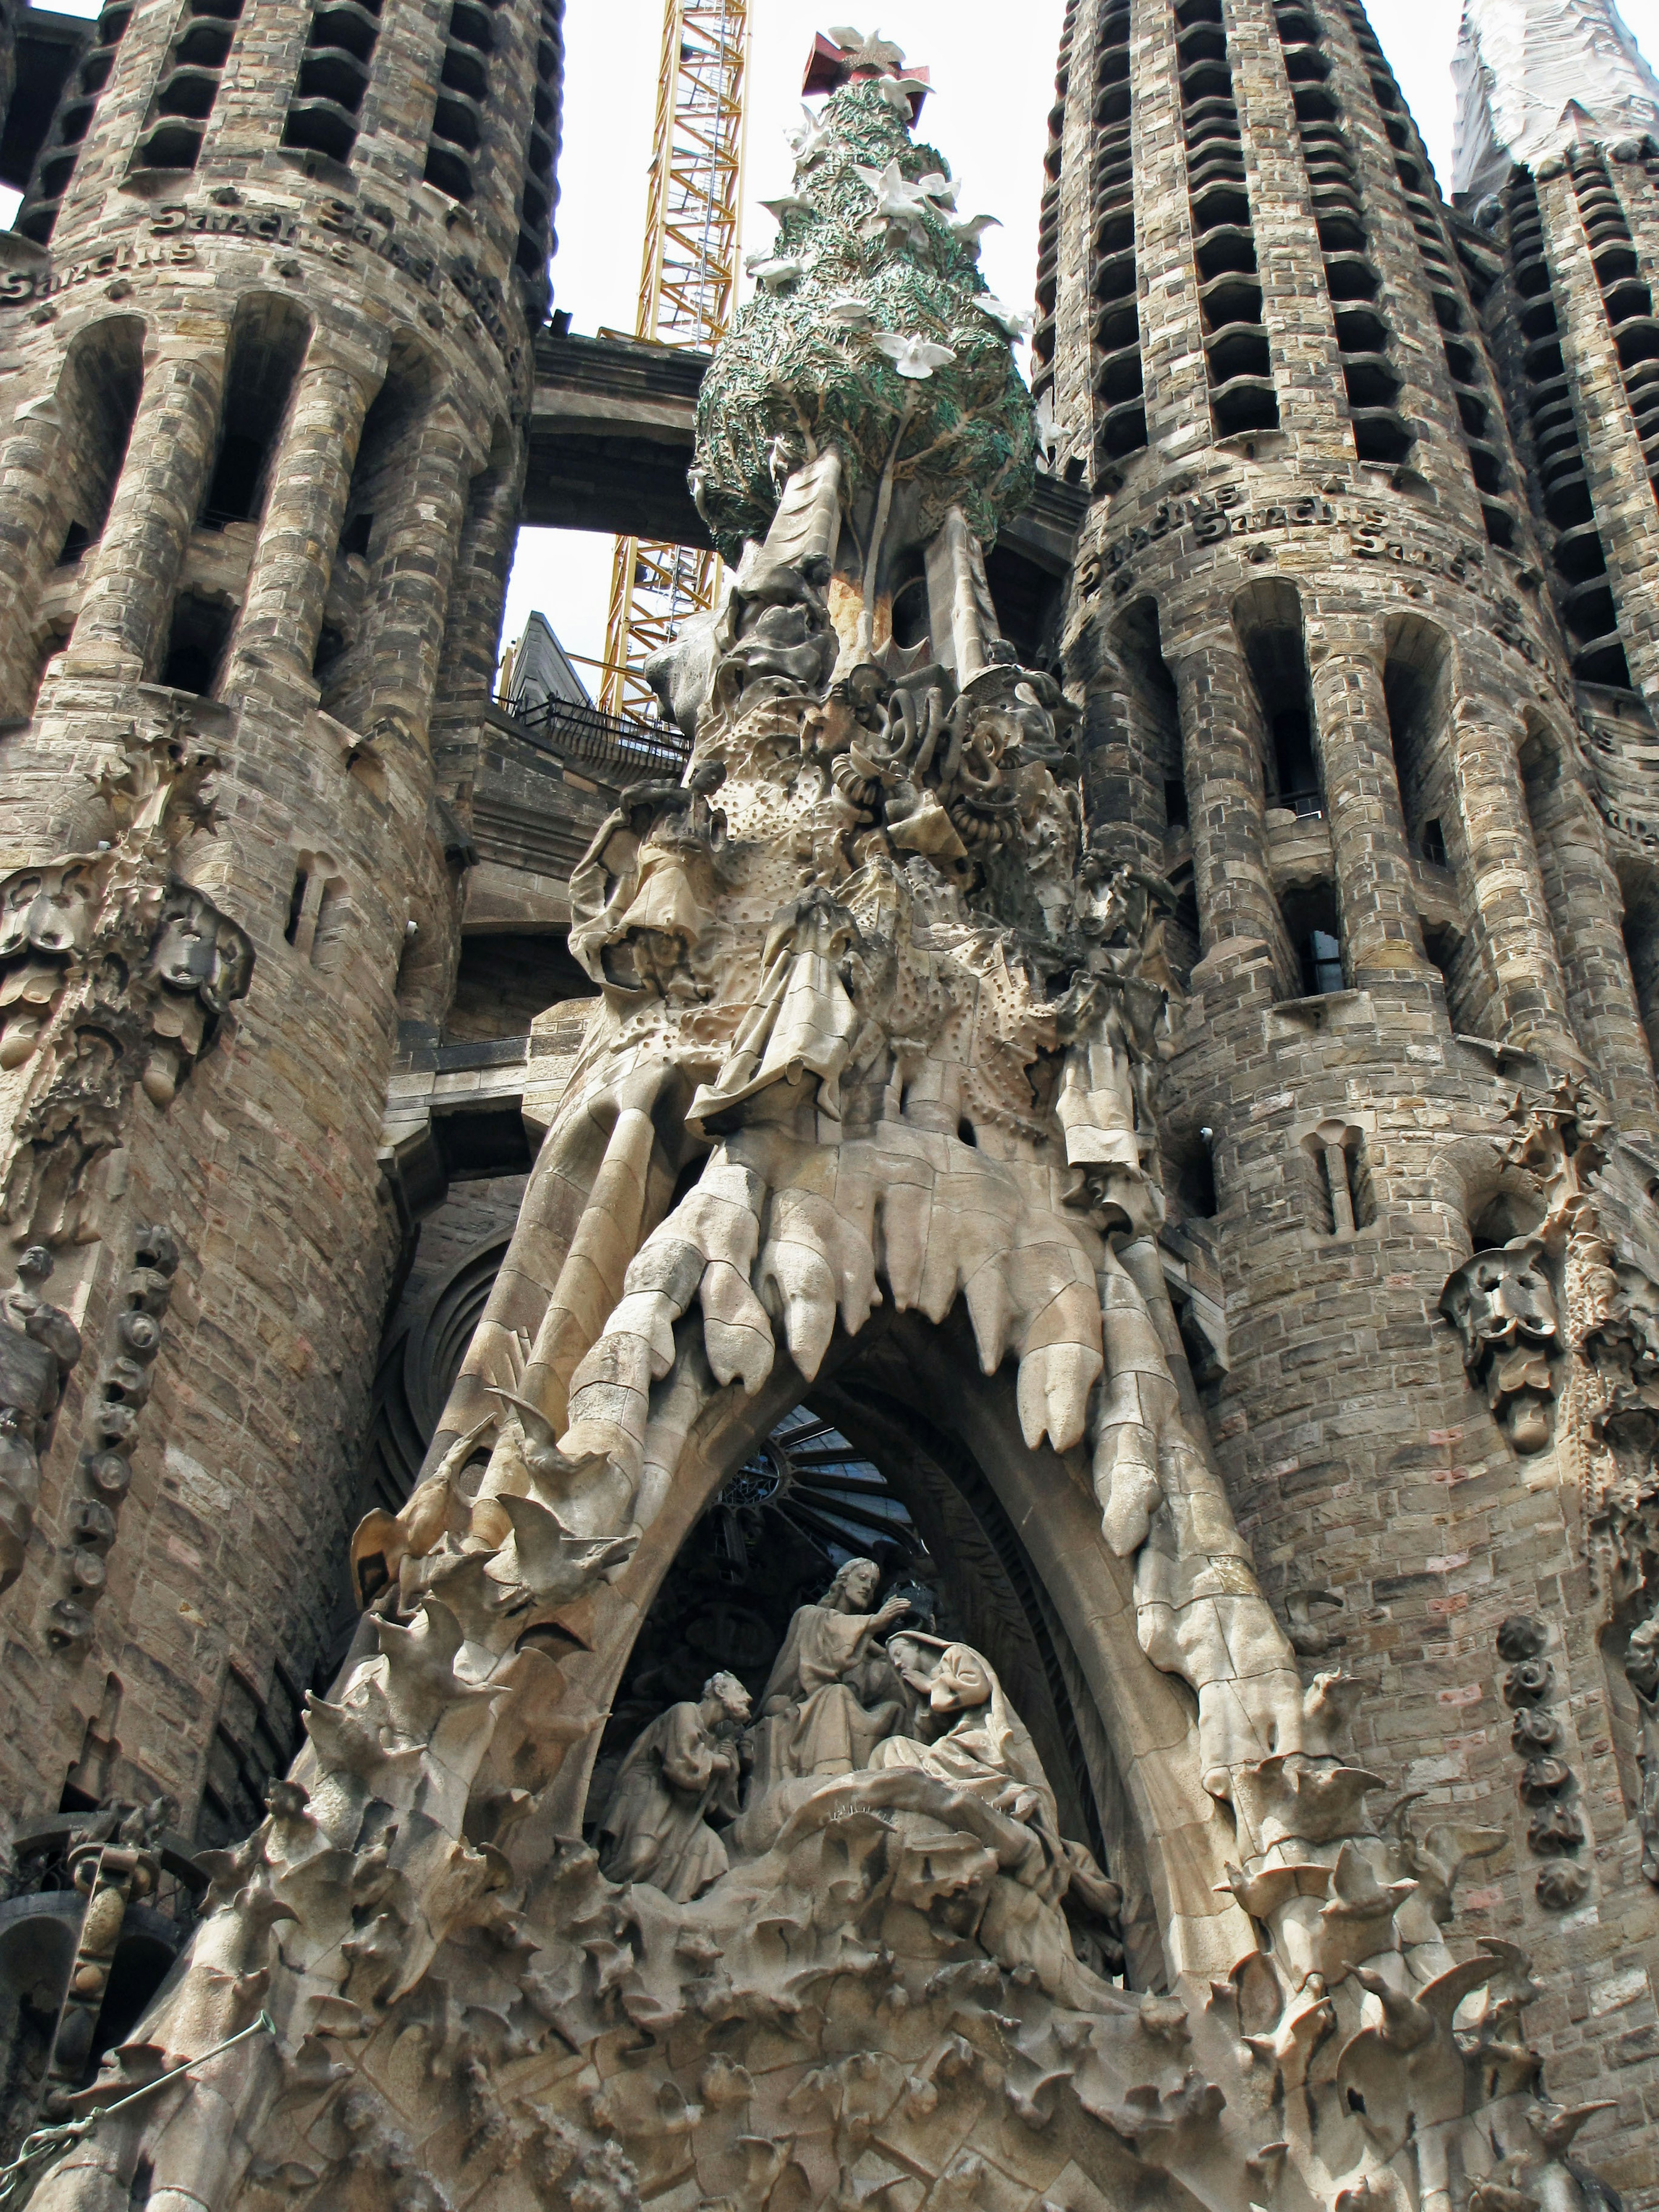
(1370, 857)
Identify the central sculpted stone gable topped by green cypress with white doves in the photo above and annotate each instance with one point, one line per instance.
(875, 1050)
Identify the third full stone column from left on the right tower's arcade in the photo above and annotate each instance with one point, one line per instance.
(1505, 884)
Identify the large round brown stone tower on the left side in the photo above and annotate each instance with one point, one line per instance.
(267, 328)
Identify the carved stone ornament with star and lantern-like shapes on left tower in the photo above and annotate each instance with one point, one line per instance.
(112, 972)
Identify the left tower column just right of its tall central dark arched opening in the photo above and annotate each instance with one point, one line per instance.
(295, 556)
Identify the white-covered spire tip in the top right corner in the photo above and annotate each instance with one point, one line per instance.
(1538, 74)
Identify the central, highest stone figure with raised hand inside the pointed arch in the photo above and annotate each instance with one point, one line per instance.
(833, 1682)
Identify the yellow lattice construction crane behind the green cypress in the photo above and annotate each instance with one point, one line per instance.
(687, 298)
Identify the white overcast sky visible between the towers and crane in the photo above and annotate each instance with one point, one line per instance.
(994, 72)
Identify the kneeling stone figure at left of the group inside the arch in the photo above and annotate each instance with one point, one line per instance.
(678, 1773)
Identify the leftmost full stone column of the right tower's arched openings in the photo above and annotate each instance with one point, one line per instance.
(1222, 758)
